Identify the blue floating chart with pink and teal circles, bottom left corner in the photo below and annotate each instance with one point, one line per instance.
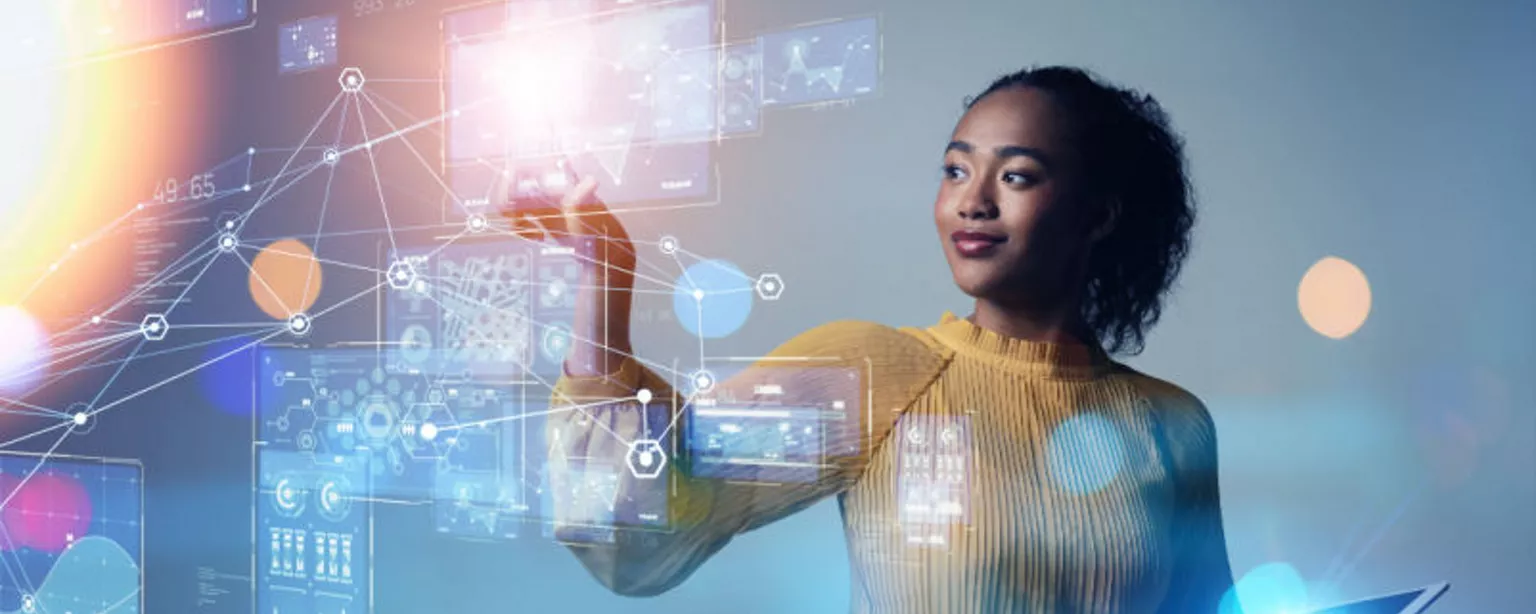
(71, 535)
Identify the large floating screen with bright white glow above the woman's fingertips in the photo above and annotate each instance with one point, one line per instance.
(624, 91)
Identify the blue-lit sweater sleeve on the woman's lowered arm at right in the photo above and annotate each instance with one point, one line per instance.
(1202, 572)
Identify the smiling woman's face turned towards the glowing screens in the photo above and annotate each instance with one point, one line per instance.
(1007, 210)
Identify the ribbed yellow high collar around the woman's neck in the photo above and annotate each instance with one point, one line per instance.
(1034, 358)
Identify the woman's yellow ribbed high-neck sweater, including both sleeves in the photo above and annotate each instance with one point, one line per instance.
(1088, 487)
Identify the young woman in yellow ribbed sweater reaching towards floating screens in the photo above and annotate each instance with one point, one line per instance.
(1082, 486)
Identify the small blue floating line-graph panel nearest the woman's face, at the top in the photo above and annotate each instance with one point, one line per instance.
(821, 64)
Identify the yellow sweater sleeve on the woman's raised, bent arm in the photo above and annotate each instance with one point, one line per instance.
(706, 513)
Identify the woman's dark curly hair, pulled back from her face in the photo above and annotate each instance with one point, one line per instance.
(1136, 165)
